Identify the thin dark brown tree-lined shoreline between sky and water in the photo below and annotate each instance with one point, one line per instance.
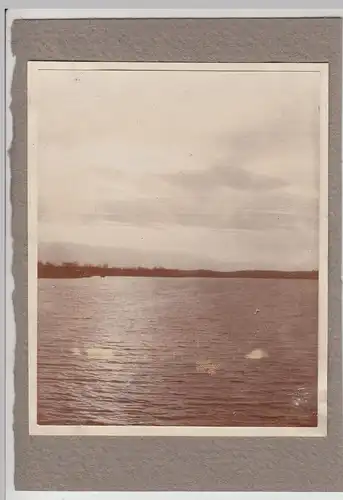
(76, 271)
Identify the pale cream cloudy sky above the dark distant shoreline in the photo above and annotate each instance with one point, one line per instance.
(179, 169)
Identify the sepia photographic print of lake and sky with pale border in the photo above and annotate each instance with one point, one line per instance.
(177, 248)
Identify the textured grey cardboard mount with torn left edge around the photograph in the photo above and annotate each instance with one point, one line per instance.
(151, 463)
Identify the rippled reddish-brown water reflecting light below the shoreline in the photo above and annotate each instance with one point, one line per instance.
(155, 351)
